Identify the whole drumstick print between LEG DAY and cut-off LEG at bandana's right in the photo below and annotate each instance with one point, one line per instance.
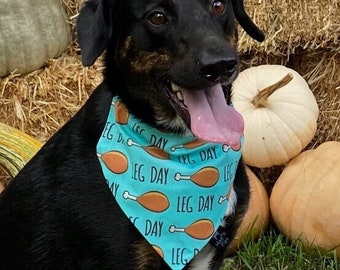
(205, 177)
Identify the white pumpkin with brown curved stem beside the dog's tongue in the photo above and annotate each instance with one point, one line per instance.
(280, 114)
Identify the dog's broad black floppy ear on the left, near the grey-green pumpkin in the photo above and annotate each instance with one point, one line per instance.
(94, 28)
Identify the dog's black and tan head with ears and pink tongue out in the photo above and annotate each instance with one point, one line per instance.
(171, 61)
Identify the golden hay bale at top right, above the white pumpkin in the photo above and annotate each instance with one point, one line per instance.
(293, 24)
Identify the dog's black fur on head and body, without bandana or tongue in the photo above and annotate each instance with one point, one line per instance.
(59, 213)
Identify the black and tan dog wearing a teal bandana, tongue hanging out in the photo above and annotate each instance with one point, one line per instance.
(170, 63)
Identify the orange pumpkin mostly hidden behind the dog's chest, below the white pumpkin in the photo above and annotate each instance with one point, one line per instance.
(256, 218)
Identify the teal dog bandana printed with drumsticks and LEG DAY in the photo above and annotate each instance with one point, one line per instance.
(173, 189)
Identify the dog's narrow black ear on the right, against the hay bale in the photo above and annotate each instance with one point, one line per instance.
(245, 21)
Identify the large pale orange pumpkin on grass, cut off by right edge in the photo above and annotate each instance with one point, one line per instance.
(305, 199)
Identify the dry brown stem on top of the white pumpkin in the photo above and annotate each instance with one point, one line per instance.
(260, 100)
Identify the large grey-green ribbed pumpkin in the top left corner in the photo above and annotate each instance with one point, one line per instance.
(31, 31)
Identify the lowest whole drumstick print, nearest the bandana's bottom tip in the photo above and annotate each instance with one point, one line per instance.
(200, 229)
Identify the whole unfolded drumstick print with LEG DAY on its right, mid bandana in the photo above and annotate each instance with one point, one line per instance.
(153, 200)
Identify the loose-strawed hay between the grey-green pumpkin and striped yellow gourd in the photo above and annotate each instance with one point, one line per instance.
(40, 102)
